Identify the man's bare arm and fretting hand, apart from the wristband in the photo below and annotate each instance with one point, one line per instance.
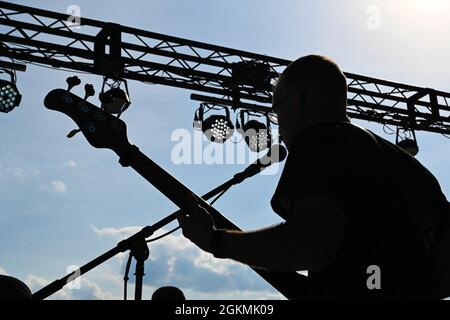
(308, 241)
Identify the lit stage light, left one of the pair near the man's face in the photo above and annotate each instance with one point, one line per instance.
(217, 128)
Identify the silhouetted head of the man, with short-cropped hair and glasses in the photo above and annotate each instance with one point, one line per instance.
(311, 90)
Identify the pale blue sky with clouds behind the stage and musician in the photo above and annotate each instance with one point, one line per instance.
(63, 203)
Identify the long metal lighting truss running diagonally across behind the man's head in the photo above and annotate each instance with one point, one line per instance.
(230, 77)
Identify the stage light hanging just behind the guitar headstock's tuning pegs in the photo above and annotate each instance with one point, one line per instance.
(115, 100)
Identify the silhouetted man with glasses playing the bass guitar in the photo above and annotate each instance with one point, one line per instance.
(364, 217)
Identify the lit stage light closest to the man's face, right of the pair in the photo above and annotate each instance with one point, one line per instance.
(256, 134)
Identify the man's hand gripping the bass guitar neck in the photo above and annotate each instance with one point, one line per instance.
(197, 225)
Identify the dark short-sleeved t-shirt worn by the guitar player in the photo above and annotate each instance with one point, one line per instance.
(393, 208)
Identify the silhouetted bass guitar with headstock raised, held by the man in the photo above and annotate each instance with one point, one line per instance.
(102, 130)
